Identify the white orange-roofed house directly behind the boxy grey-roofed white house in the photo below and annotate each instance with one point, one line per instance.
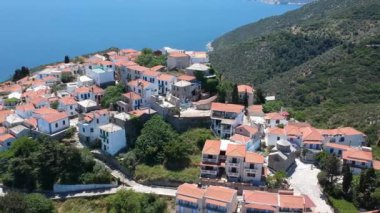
(88, 125)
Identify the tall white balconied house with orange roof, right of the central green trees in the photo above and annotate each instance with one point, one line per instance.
(225, 117)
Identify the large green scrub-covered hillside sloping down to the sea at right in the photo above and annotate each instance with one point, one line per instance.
(323, 56)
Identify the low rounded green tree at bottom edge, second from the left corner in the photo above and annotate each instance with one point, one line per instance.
(37, 203)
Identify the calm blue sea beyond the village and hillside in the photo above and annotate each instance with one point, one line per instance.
(34, 32)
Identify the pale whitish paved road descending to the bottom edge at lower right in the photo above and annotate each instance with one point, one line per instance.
(304, 181)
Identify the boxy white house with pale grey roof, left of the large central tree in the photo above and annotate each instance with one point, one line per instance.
(113, 138)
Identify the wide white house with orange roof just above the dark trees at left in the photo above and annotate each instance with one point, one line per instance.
(53, 123)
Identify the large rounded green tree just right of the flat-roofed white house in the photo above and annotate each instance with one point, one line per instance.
(154, 136)
